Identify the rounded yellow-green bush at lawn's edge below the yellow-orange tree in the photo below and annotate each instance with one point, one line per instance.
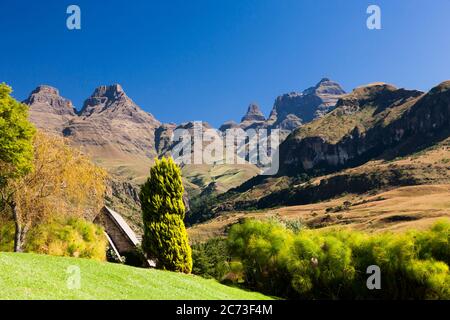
(72, 237)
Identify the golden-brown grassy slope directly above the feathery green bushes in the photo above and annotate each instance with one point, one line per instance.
(414, 207)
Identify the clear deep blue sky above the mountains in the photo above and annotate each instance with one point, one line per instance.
(208, 59)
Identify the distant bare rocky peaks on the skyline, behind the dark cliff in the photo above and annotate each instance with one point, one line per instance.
(124, 138)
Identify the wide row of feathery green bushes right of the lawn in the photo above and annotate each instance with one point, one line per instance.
(332, 264)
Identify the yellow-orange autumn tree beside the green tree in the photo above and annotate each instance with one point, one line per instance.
(63, 183)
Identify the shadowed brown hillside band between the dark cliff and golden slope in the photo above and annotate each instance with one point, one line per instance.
(423, 168)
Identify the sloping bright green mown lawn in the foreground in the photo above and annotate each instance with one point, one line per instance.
(31, 276)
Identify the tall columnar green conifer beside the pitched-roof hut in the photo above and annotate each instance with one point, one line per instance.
(165, 237)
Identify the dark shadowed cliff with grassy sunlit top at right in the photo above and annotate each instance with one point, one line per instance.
(373, 121)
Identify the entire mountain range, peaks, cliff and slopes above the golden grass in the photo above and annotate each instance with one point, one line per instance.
(334, 143)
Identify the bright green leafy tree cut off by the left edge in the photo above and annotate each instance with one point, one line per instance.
(16, 151)
